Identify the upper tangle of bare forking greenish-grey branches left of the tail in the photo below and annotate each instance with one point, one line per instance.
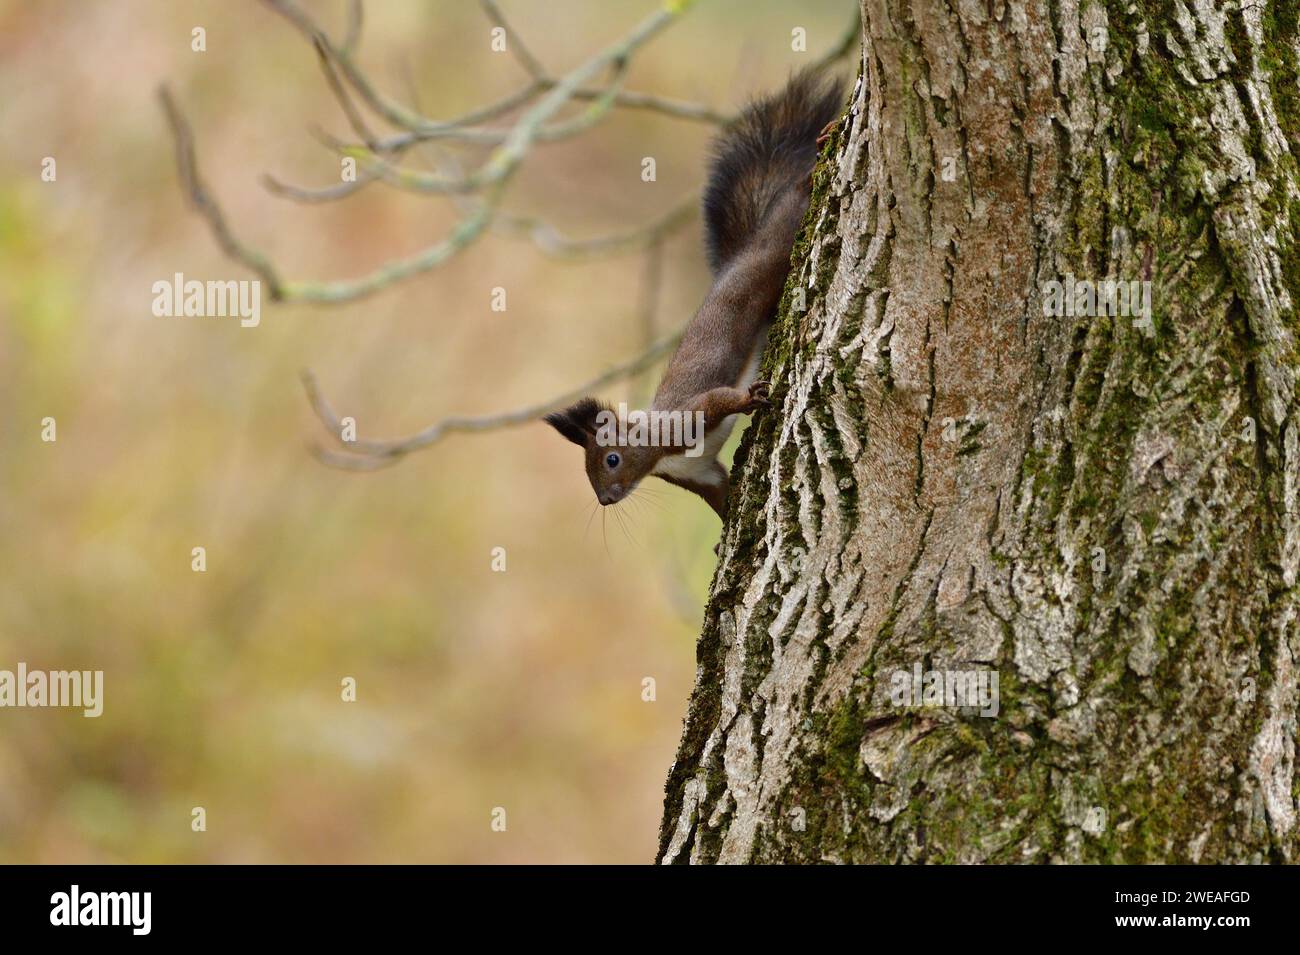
(544, 98)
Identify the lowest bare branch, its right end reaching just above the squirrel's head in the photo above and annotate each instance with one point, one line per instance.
(370, 455)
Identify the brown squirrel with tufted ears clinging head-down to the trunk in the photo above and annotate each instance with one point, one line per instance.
(753, 206)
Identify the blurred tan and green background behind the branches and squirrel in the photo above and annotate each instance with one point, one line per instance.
(475, 689)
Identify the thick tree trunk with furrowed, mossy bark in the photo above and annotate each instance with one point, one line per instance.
(1099, 509)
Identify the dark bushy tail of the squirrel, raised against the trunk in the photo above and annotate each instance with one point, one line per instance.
(770, 149)
